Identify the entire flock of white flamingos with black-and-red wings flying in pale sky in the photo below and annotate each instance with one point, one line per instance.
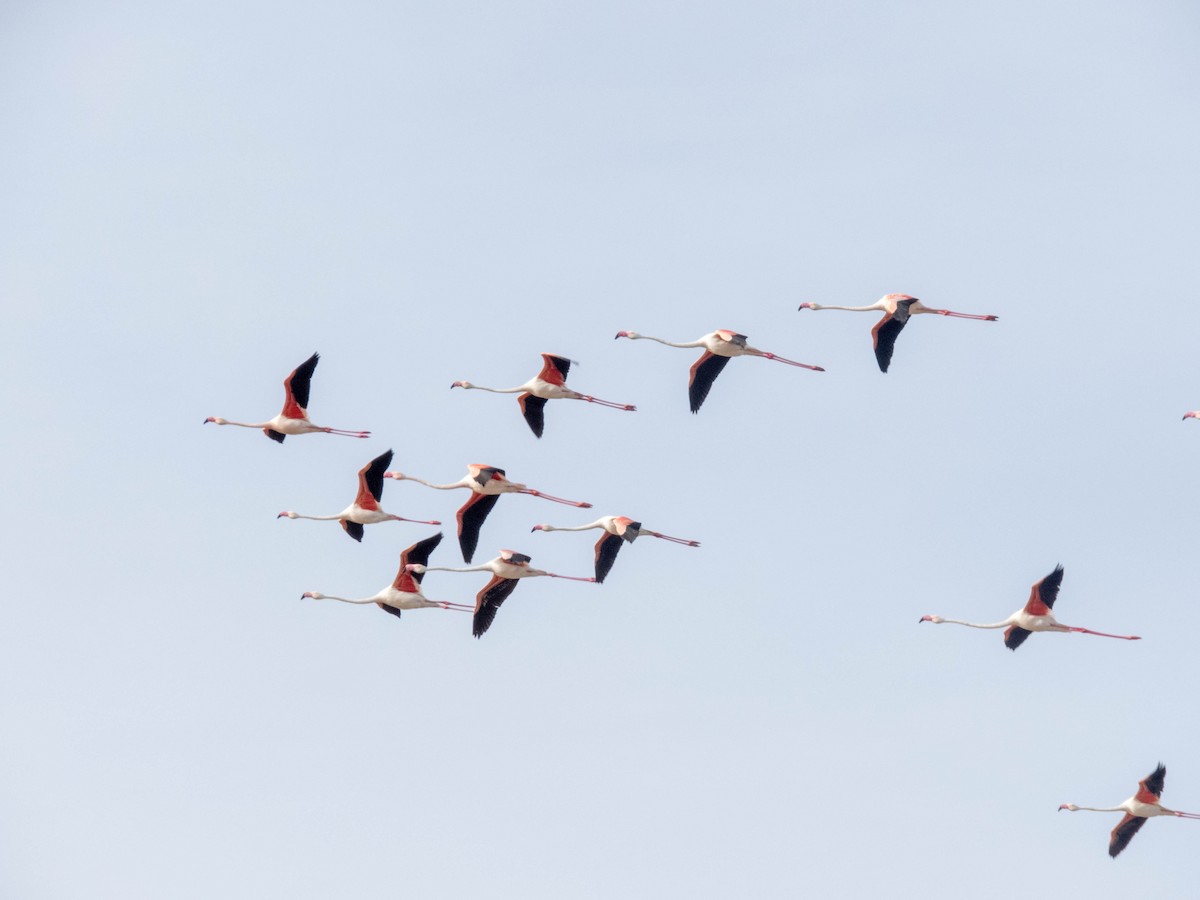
(488, 483)
